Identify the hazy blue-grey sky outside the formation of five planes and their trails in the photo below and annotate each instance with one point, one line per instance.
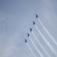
(16, 18)
